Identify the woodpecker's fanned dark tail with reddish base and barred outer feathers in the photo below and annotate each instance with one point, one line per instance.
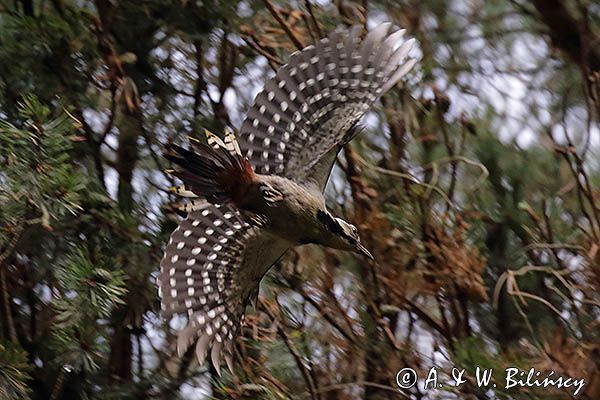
(216, 171)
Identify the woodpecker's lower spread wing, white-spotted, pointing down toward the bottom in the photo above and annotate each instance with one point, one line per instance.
(212, 265)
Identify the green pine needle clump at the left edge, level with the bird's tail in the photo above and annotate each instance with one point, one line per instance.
(39, 183)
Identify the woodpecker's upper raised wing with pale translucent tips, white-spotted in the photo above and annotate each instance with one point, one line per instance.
(309, 108)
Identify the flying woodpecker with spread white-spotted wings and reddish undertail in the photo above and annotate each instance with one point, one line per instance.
(253, 195)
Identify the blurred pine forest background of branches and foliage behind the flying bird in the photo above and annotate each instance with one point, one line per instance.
(475, 186)
